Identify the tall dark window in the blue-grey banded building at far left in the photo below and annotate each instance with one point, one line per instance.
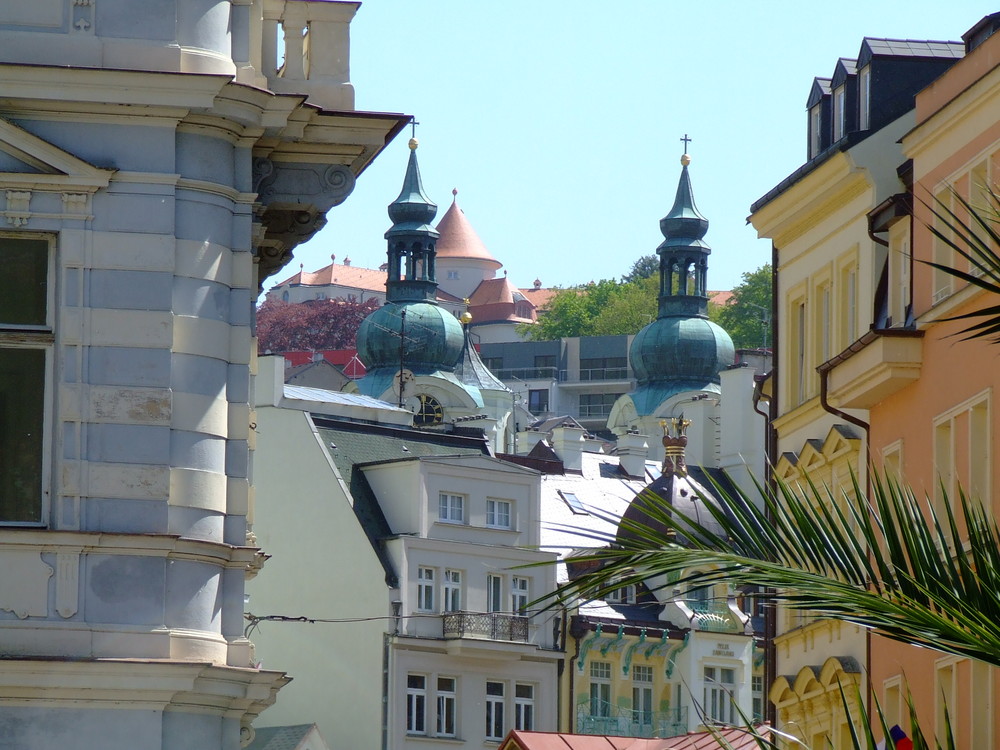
(25, 356)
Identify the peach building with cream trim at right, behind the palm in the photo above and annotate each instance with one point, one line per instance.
(930, 395)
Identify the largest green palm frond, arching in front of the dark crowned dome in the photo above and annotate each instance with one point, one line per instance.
(890, 562)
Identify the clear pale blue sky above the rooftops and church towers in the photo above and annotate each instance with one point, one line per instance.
(559, 122)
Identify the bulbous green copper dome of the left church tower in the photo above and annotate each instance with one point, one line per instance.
(432, 338)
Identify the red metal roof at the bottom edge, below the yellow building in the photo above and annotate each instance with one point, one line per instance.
(737, 739)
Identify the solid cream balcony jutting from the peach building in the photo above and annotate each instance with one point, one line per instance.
(874, 367)
